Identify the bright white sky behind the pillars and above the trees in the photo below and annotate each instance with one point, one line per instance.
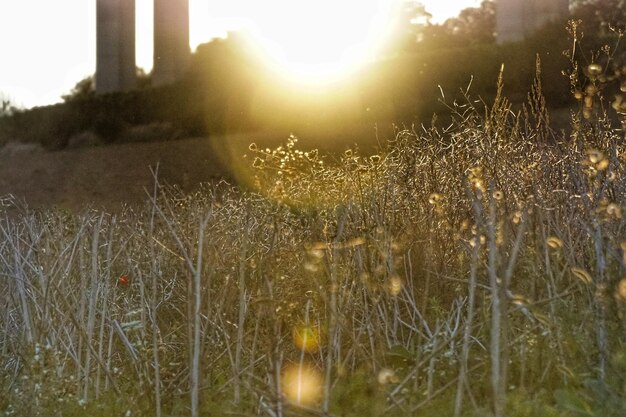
(46, 46)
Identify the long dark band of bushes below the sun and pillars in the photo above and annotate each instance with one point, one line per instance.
(229, 89)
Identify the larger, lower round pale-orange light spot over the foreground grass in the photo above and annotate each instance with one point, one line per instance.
(302, 384)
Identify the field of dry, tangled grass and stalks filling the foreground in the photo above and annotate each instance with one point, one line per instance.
(471, 269)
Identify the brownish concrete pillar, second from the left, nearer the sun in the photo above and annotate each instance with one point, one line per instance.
(171, 41)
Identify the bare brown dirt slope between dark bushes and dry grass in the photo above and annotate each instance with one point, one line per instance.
(109, 176)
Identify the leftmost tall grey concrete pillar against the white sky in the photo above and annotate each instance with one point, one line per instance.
(115, 46)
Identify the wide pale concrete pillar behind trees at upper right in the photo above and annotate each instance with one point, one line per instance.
(516, 19)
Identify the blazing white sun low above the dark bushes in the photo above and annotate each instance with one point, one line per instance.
(318, 40)
